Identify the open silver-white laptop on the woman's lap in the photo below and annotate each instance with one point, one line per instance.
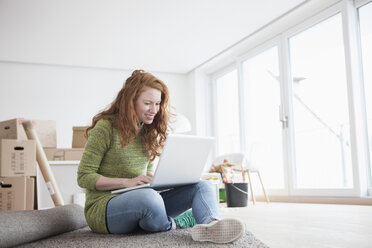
(181, 162)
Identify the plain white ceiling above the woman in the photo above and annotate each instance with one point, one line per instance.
(156, 35)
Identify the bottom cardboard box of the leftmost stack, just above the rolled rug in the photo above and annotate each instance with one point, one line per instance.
(17, 193)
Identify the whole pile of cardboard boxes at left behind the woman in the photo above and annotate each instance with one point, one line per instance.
(18, 164)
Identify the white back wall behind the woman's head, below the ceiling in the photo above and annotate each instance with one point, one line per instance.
(70, 95)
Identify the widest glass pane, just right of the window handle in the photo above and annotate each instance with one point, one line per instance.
(321, 118)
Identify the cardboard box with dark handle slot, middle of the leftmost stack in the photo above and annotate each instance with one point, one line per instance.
(17, 158)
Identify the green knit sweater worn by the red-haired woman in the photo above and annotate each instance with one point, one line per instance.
(104, 155)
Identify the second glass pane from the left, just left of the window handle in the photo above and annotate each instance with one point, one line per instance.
(263, 127)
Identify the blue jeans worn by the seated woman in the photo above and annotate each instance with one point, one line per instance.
(153, 211)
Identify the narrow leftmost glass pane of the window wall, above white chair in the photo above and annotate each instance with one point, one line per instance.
(228, 134)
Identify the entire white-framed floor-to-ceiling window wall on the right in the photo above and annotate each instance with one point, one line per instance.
(286, 104)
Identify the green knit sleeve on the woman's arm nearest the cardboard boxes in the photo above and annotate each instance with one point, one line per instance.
(98, 143)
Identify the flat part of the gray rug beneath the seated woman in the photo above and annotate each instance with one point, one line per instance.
(84, 237)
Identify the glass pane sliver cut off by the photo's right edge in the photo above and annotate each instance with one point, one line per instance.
(365, 22)
